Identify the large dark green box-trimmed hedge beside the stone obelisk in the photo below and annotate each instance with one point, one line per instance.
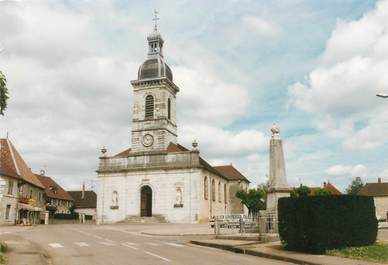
(316, 223)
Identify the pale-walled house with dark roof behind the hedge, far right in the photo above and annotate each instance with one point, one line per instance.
(379, 191)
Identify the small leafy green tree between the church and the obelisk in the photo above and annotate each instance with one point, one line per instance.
(253, 199)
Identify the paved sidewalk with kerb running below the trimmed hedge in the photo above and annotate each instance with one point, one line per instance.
(273, 251)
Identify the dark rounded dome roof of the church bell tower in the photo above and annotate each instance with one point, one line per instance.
(154, 68)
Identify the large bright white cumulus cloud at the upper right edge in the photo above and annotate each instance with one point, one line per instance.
(341, 90)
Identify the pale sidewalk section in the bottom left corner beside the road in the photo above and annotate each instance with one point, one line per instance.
(23, 252)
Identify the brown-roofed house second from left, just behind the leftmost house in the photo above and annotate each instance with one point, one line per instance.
(56, 198)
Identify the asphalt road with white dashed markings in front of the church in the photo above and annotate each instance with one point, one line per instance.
(125, 245)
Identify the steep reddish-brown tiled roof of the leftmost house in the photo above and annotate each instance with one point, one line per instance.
(13, 165)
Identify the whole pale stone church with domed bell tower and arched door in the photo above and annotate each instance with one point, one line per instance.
(157, 178)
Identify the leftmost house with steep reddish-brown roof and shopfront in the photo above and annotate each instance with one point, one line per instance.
(22, 196)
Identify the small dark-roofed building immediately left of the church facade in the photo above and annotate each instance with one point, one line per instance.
(85, 202)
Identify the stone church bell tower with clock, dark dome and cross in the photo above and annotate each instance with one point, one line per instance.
(154, 100)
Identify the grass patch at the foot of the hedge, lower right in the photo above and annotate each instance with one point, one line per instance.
(377, 252)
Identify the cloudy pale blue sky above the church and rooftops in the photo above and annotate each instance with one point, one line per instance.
(311, 67)
